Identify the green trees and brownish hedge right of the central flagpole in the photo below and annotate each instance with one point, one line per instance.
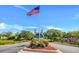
(57, 35)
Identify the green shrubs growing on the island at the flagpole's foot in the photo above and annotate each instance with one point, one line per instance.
(36, 43)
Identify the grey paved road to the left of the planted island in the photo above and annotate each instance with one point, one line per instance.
(12, 48)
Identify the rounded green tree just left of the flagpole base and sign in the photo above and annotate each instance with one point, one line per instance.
(24, 35)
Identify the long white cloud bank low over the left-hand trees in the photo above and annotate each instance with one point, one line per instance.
(4, 26)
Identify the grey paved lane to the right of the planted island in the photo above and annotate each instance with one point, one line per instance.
(66, 49)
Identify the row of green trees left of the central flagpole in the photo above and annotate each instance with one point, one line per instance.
(18, 36)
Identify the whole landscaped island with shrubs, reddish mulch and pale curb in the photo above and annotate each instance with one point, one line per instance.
(37, 45)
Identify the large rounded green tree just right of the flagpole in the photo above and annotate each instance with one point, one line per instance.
(53, 34)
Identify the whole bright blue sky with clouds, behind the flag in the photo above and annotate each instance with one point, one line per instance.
(62, 17)
